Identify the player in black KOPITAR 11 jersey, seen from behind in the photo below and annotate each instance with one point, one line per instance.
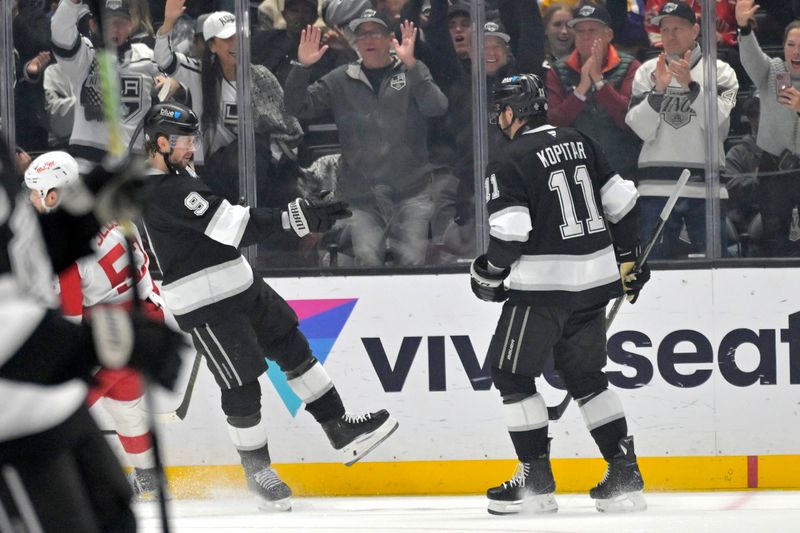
(563, 233)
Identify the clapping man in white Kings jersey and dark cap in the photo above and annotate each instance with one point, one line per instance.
(668, 113)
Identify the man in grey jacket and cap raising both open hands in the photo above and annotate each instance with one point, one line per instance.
(380, 105)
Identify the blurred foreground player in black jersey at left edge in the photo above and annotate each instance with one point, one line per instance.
(57, 471)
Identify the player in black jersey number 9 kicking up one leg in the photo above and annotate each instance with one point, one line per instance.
(235, 319)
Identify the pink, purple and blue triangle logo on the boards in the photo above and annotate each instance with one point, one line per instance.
(321, 321)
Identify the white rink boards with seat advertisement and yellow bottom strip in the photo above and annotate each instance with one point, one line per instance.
(707, 365)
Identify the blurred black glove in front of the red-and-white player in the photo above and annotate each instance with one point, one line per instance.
(130, 339)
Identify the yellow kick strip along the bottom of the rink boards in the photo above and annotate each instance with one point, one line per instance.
(474, 477)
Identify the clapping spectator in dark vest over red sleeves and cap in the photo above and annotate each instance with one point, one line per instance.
(591, 88)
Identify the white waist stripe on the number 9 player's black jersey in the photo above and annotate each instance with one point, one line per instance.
(208, 286)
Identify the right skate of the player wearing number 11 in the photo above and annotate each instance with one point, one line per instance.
(621, 488)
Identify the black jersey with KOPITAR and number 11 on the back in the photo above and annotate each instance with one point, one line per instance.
(551, 196)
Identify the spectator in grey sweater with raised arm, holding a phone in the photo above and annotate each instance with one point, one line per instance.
(777, 81)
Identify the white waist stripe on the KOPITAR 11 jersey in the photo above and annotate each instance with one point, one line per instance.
(571, 273)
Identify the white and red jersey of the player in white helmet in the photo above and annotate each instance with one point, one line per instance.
(104, 278)
